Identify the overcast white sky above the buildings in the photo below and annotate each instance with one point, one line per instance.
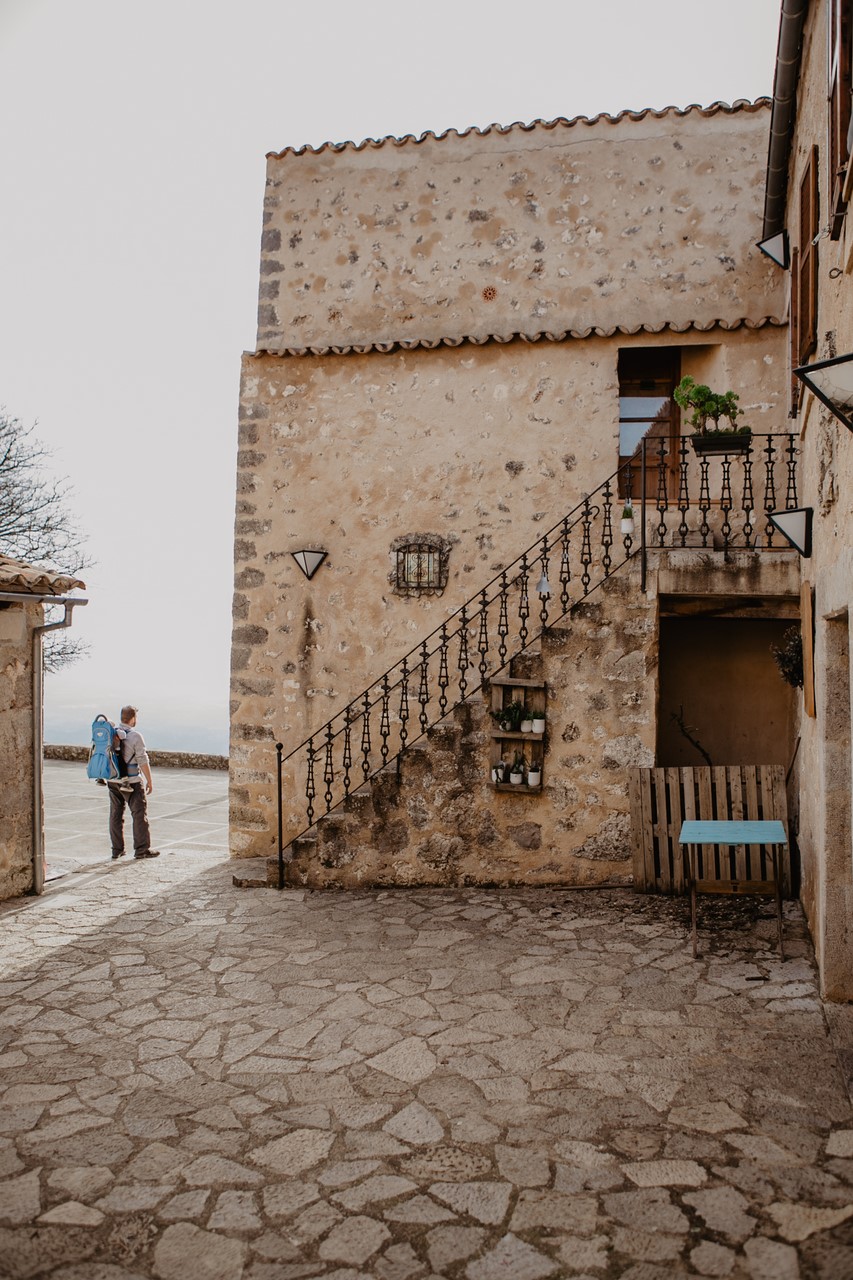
(133, 141)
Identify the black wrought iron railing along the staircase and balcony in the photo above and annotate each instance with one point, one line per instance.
(581, 554)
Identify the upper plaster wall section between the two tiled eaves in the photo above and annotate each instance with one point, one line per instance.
(617, 223)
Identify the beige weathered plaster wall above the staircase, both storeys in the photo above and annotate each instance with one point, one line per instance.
(641, 230)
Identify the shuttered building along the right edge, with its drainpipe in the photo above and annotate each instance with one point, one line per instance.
(810, 185)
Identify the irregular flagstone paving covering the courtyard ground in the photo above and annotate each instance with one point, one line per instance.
(207, 1084)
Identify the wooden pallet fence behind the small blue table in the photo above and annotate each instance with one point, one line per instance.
(663, 799)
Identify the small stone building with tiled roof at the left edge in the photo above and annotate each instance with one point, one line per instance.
(24, 593)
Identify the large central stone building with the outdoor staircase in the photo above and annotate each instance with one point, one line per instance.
(463, 342)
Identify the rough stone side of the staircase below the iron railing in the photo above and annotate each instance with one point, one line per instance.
(432, 819)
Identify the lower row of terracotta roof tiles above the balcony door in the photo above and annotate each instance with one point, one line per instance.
(544, 336)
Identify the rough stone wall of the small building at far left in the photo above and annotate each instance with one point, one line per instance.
(16, 748)
